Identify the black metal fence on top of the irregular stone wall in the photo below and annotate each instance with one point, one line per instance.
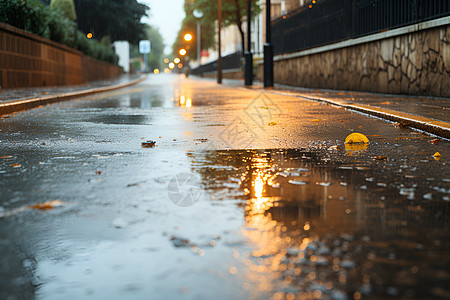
(330, 21)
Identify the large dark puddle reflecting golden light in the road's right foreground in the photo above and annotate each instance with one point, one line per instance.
(329, 229)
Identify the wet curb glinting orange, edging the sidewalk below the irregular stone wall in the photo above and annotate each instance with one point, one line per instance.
(439, 128)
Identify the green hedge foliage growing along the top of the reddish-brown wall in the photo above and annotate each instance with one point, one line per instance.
(51, 23)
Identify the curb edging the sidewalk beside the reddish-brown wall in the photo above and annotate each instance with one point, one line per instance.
(26, 104)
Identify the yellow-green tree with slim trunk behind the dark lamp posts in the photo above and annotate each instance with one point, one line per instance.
(234, 12)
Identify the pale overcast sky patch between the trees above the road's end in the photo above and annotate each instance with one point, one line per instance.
(166, 15)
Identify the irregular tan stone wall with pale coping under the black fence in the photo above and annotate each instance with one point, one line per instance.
(414, 61)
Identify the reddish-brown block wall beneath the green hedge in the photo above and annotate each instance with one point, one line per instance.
(27, 60)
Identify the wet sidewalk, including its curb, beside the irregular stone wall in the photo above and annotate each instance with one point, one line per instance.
(430, 114)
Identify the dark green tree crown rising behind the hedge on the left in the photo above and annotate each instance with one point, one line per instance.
(118, 19)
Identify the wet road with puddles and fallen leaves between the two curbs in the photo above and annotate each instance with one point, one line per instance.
(244, 196)
